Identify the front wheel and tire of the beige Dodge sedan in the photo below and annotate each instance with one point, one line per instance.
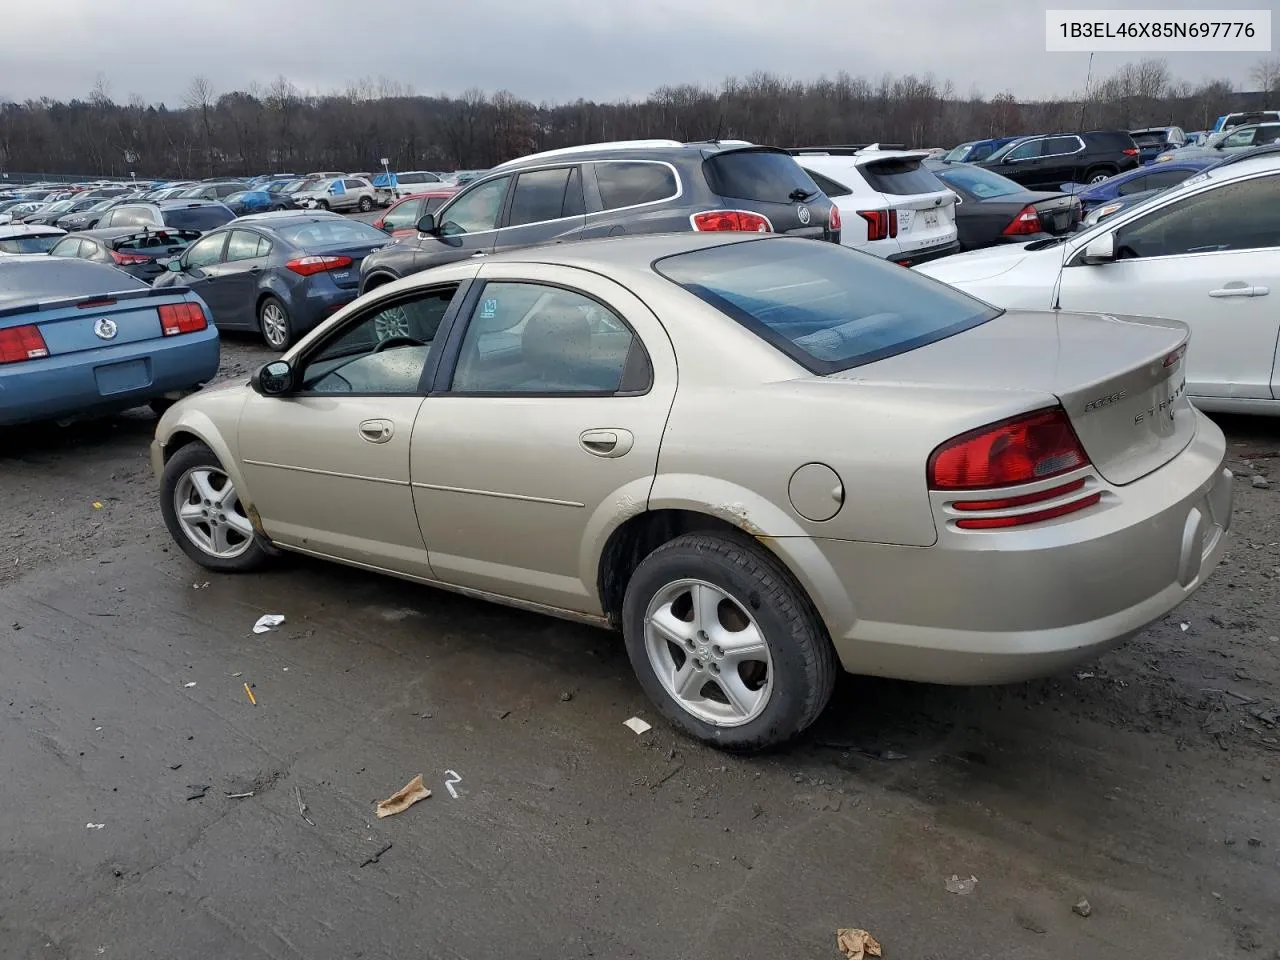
(204, 514)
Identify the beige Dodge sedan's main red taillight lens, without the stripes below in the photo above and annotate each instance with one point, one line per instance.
(1018, 451)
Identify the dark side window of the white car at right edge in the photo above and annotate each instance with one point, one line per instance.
(1242, 216)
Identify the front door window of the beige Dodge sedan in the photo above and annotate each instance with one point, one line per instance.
(385, 353)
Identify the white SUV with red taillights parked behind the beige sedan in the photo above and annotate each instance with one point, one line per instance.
(890, 204)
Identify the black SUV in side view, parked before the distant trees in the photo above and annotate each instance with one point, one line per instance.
(1049, 161)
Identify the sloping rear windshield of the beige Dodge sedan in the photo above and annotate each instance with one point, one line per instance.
(824, 305)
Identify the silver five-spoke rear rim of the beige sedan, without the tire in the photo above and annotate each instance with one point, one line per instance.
(708, 653)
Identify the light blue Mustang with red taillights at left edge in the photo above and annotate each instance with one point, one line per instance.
(83, 340)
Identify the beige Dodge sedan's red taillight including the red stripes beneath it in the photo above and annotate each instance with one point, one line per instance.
(1023, 450)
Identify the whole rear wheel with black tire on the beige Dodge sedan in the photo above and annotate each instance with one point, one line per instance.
(726, 644)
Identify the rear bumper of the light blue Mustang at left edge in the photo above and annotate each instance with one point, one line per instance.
(88, 383)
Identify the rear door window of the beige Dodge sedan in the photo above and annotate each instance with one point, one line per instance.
(528, 339)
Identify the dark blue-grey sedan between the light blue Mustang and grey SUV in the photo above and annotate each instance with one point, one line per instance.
(277, 273)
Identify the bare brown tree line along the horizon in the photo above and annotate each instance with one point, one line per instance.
(282, 129)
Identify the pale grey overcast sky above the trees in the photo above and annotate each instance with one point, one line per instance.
(554, 51)
